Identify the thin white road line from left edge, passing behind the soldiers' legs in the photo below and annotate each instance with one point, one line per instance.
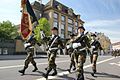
(16, 66)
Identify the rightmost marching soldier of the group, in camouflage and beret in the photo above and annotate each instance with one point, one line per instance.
(96, 46)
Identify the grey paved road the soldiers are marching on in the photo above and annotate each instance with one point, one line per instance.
(108, 69)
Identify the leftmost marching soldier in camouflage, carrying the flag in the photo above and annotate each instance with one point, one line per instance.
(29, 47)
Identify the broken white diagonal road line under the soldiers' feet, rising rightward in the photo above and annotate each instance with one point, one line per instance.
(66, 72)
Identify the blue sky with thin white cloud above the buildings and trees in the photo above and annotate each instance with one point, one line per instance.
(98, 15)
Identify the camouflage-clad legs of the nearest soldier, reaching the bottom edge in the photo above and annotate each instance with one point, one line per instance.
(81, 61)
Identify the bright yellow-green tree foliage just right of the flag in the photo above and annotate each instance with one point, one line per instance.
(42, 26)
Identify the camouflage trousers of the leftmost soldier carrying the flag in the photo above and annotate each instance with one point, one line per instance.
(30, 58)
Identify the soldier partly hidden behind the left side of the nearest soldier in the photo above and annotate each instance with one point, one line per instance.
(70, 51)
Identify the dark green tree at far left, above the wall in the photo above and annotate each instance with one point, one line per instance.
(8, 30)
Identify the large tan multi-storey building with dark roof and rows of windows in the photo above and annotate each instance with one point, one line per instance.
(59, 16)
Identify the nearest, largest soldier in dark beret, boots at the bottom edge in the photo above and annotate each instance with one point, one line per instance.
(80, 44)
